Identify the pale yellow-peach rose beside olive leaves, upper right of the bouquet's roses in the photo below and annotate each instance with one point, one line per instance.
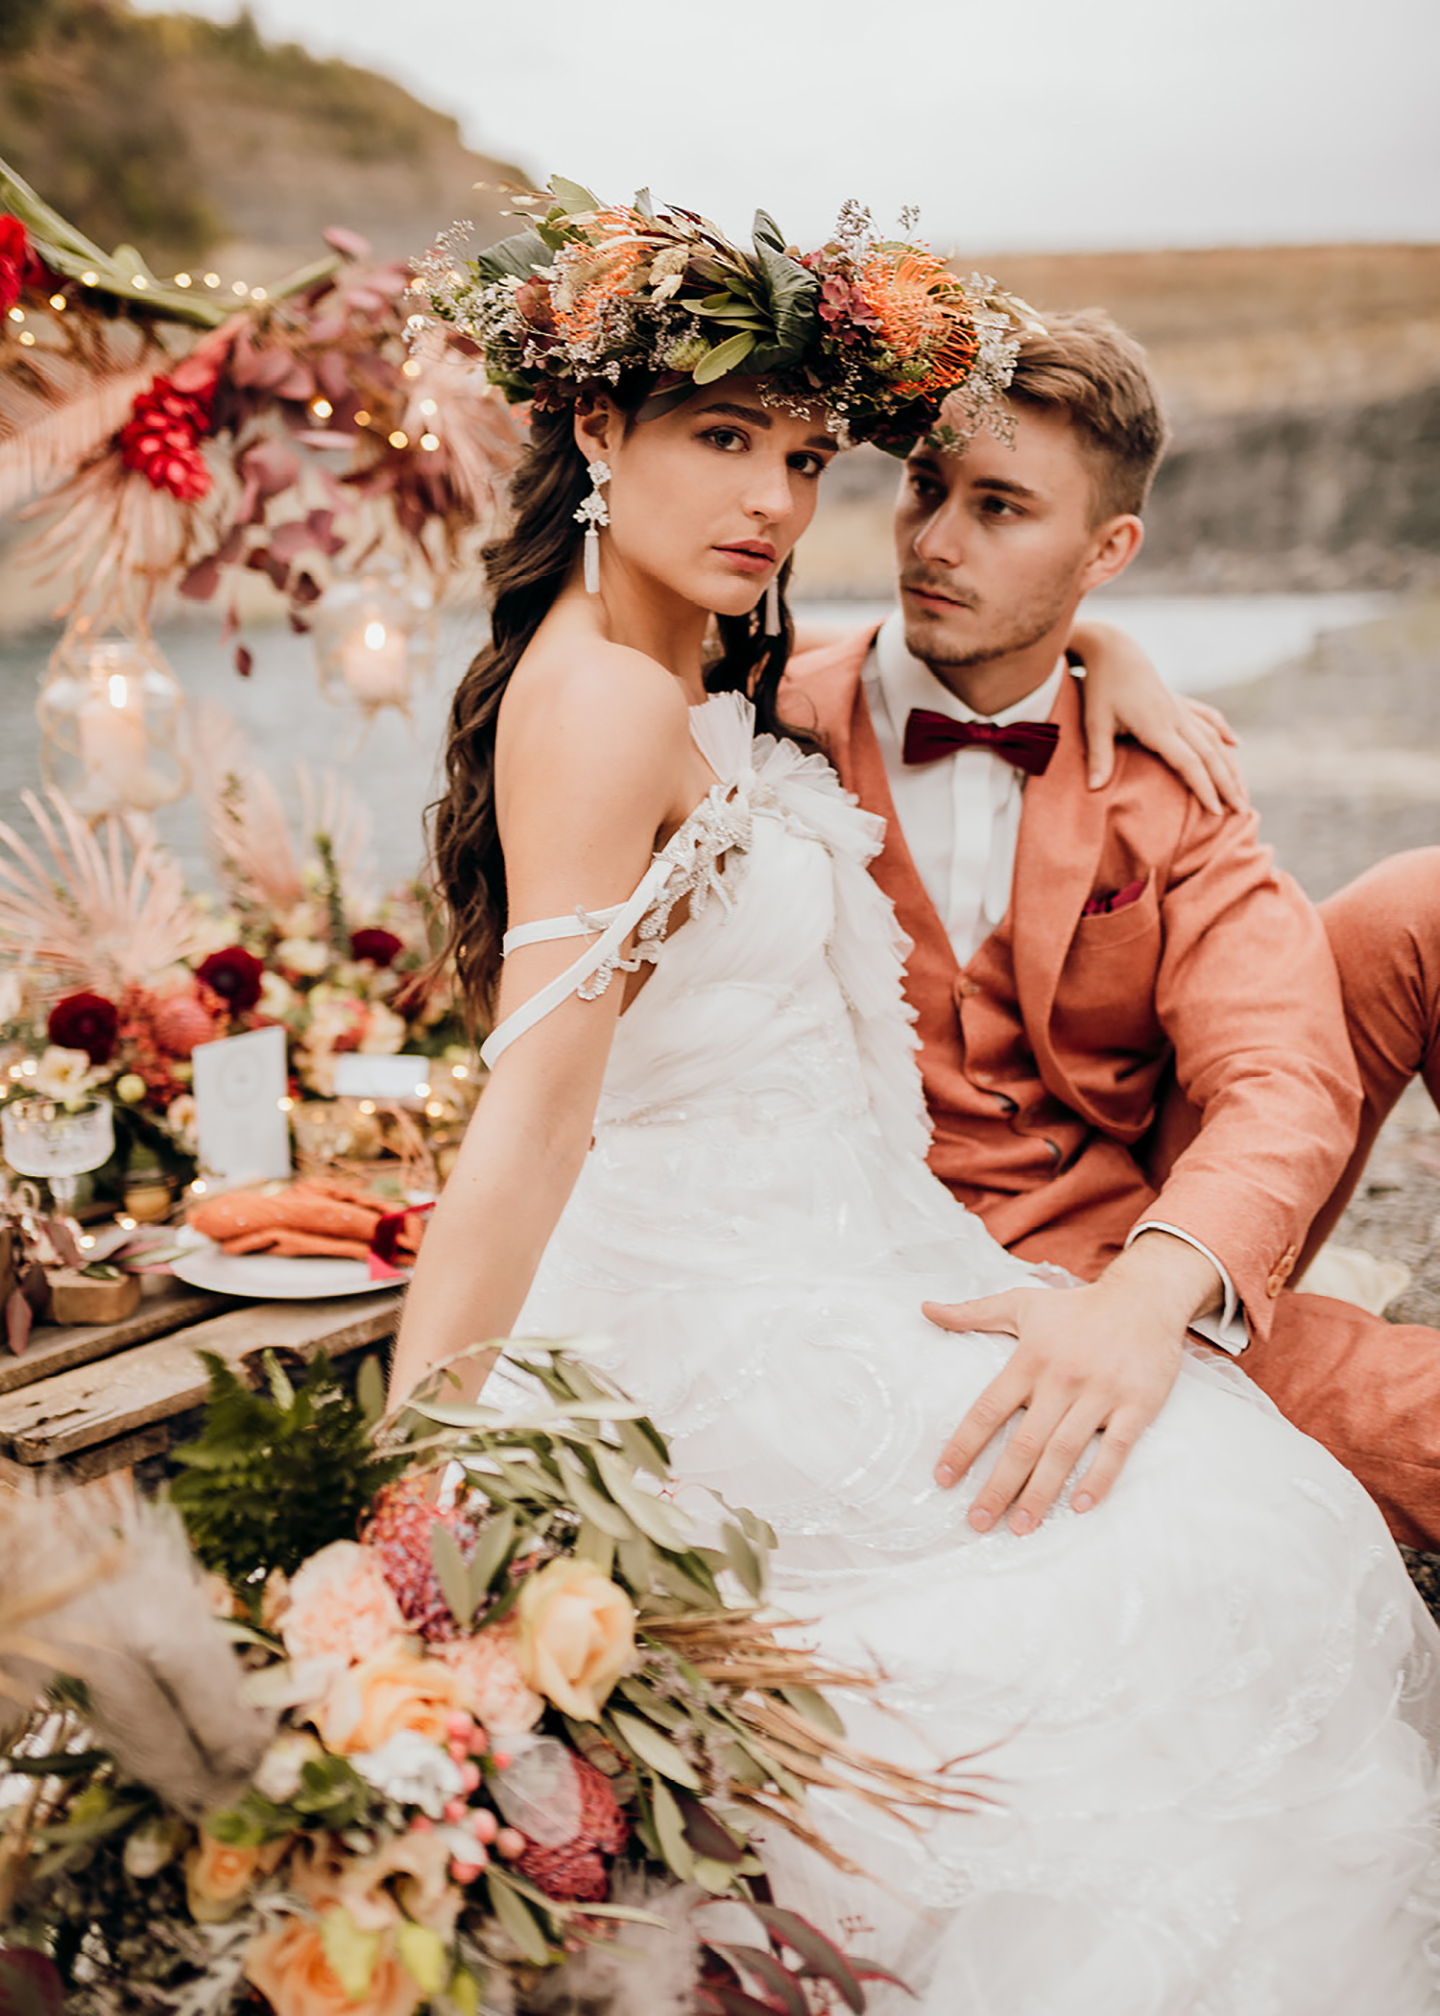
(578, 1634)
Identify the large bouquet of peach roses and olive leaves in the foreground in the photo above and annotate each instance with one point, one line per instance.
(352, 1741)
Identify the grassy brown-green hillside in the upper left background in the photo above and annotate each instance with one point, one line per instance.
(195, 138)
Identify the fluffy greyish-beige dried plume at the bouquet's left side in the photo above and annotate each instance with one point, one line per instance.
(120, 1606)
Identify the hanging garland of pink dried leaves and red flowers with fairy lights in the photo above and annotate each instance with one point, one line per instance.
(279, 438)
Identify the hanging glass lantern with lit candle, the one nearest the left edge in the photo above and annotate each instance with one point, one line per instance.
(112, 717)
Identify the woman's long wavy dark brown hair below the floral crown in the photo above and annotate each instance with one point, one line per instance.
(527, 568)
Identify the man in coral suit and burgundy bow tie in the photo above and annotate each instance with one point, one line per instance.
(1147, 1055)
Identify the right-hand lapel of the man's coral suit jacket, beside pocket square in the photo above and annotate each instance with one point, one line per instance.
(1056, 862)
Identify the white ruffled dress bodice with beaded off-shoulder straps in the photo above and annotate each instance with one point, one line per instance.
(784, 991)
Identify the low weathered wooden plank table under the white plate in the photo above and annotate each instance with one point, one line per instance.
(96, 1400)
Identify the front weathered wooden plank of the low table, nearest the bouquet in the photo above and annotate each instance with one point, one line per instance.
(96, 1404)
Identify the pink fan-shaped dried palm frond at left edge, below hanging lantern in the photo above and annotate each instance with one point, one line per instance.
(102, 912)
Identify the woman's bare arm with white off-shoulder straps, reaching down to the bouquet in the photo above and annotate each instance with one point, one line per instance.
(588, 783)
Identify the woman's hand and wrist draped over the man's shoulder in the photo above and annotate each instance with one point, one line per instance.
(1126, 697)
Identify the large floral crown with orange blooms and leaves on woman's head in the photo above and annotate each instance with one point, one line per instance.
(874, 330)
